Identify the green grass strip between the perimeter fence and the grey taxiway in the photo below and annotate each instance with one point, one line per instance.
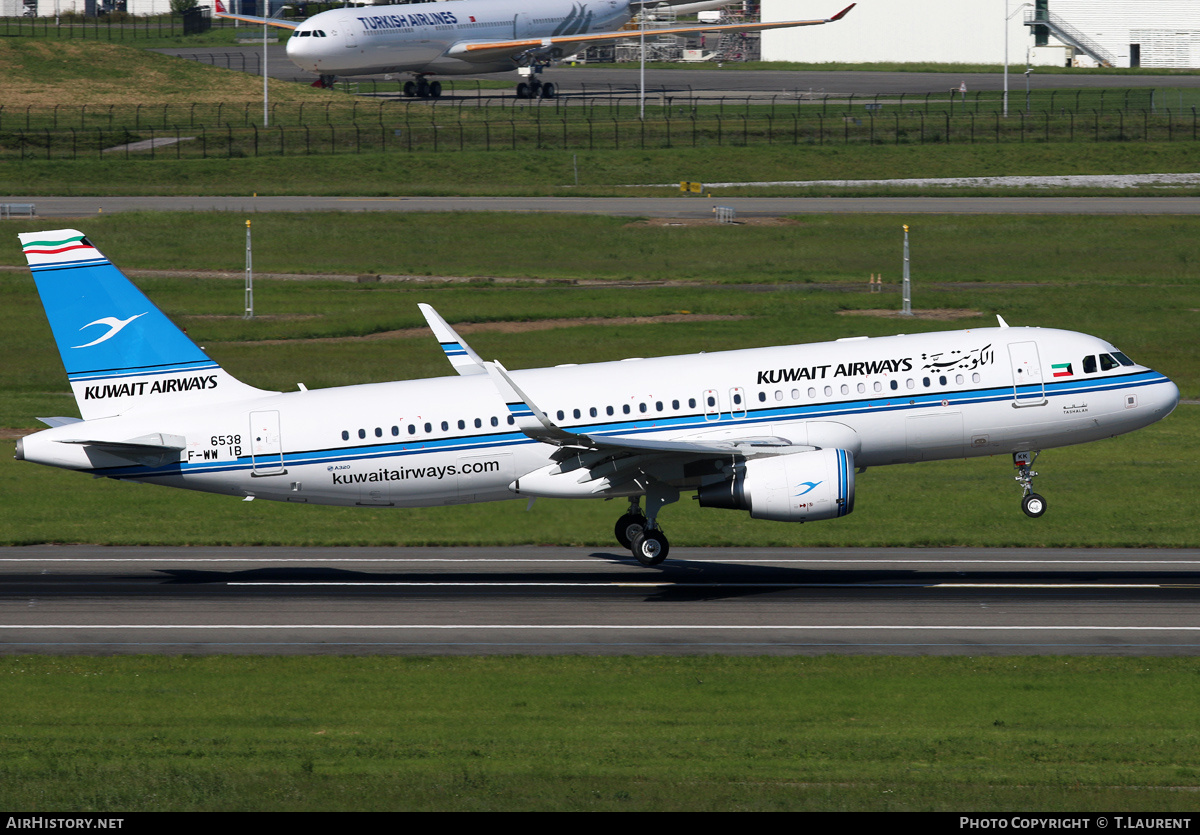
(605, 173)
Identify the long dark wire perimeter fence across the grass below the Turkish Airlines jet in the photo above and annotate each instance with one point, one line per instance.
(358, 127)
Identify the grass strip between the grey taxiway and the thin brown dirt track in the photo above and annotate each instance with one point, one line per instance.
(1142, 250)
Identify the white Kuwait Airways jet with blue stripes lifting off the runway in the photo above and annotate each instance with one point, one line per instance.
(777, 432)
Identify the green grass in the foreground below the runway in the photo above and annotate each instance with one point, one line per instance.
(574, 734)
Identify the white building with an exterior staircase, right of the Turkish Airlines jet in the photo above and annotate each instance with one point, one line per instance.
(1124, 33)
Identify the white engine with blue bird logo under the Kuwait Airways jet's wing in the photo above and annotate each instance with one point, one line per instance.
(799, 488)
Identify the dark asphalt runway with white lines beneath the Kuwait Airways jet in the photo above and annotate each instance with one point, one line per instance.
(538, 600)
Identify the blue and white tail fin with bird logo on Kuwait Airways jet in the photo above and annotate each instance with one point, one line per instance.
(121, 352)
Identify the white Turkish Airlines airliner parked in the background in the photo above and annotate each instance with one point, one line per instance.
(469, 38)
